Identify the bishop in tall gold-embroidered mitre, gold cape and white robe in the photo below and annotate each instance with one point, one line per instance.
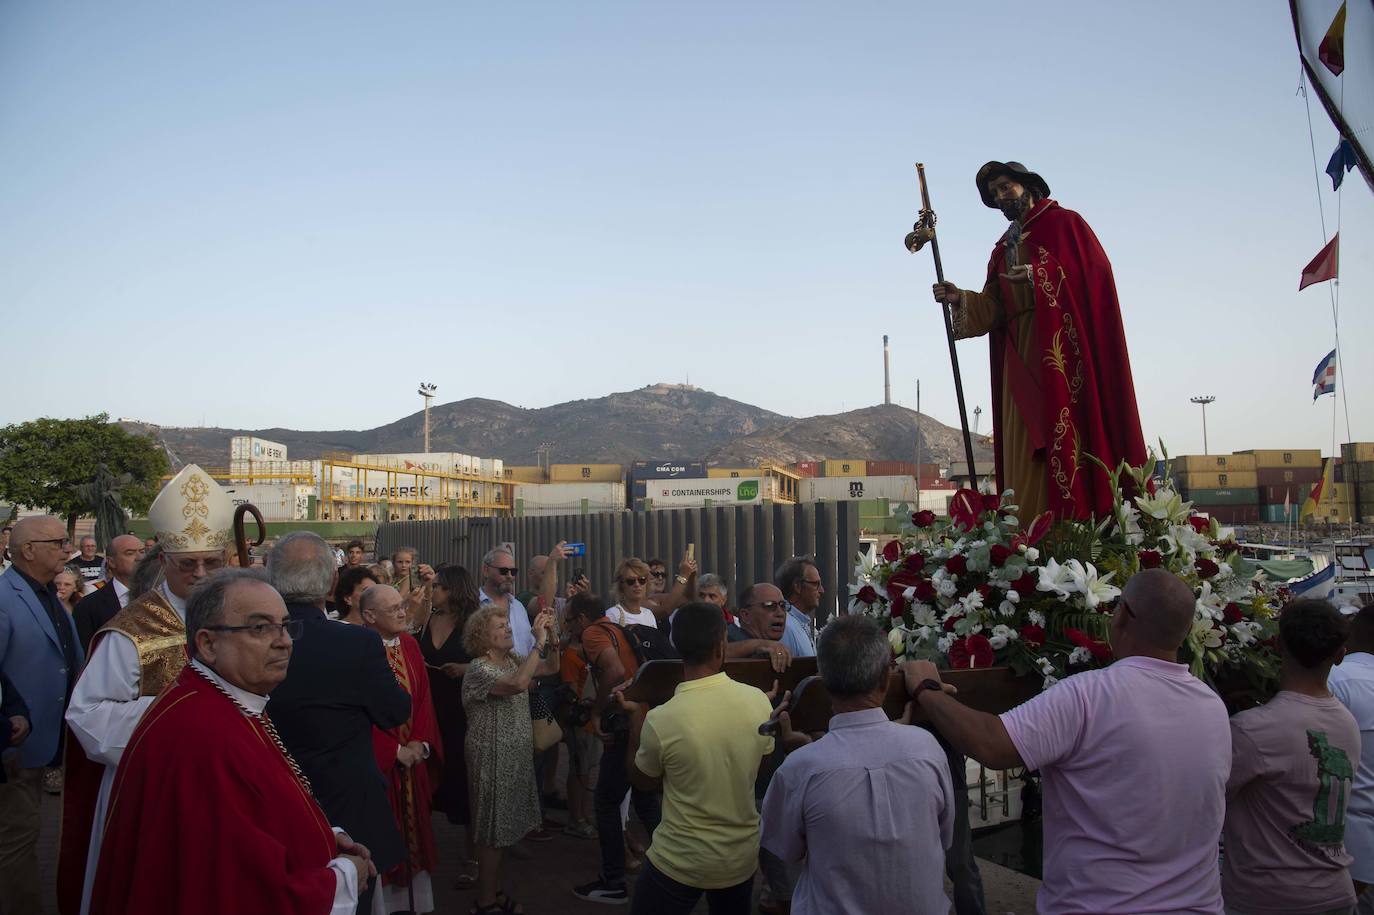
(137, 655)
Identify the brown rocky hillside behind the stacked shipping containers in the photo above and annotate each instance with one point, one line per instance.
(660, 421)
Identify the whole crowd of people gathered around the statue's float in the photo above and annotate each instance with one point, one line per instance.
(281, 737)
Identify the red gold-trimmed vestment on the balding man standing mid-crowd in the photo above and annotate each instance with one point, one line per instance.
(412, 791)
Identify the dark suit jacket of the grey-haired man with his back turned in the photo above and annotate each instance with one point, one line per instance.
(337, 688)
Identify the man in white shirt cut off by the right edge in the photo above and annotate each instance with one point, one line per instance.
(1353, 684)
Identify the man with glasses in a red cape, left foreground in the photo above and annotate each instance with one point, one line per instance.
(208, 814)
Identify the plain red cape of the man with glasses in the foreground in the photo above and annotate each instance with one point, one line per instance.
(207, 818)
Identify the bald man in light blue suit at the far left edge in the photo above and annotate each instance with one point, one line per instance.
(41, 655)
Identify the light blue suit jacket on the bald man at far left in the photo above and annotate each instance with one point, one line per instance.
(31, 656)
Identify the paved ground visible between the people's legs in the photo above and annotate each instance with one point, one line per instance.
(541, 874)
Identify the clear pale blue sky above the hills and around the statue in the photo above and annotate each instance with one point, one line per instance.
(288, 215)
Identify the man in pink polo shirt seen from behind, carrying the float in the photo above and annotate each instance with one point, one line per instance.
(1134, 760)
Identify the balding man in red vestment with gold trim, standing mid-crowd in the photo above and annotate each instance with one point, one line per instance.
(410, 758)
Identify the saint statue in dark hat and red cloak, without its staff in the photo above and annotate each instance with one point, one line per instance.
(1061, 380)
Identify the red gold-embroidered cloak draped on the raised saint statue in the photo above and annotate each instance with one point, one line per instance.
(1079, 394)
